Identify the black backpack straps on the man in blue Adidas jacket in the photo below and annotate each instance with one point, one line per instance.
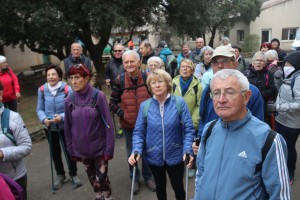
(264, 151)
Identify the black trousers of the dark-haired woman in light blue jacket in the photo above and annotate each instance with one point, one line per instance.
(56, 153)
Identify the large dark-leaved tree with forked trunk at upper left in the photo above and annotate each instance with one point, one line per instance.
(50, 27)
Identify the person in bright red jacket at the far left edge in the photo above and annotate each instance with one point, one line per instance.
(11, 87)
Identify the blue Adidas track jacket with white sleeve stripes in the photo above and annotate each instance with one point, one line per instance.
(227, 162)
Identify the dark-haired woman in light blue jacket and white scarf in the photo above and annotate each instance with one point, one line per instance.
(50, 111)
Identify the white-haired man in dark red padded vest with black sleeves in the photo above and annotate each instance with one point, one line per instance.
(127, 95)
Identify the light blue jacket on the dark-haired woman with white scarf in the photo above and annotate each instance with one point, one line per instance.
(49, 105)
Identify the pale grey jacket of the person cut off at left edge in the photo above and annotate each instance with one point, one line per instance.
(12, 163)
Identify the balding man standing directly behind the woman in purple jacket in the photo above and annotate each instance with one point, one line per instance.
(76, 57)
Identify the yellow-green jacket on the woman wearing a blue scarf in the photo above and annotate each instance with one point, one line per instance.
(191, 99)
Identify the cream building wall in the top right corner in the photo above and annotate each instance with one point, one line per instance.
(282, 15)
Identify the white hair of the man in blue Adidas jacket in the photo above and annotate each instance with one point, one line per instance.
(228, 73)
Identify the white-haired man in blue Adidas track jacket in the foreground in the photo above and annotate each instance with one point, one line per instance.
(240, 157)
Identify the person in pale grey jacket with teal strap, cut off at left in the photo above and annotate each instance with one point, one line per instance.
(15, 144)
